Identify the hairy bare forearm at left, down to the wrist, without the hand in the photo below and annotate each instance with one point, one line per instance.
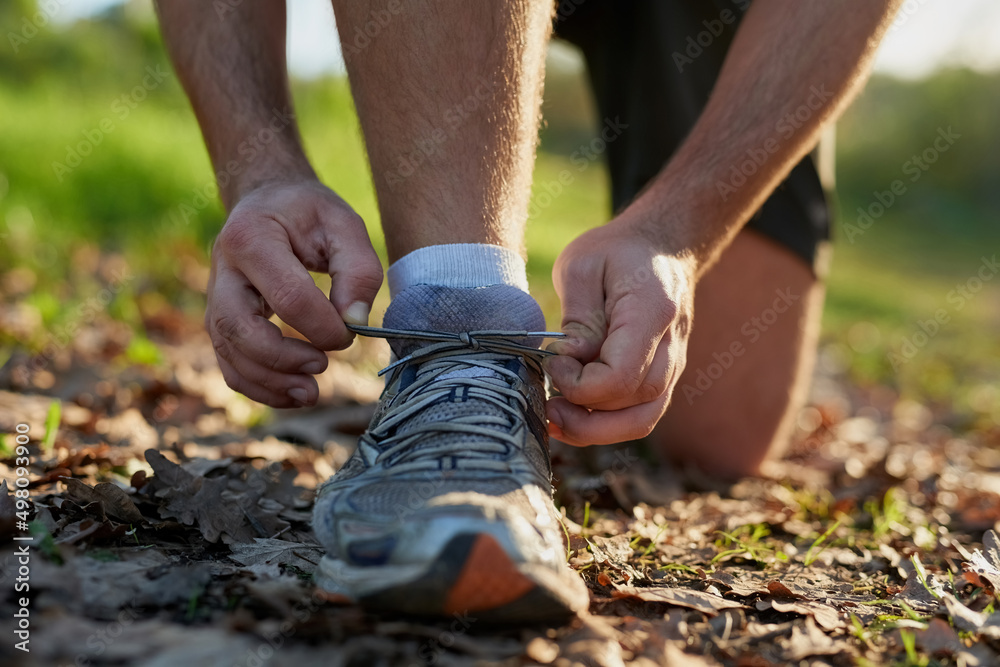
(232, 66)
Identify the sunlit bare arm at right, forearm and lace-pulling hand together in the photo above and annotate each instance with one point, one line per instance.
(619, 369)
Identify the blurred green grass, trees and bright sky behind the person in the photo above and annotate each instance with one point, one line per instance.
(108, 205)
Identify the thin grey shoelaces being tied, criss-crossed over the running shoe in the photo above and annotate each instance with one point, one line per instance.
(450, 354)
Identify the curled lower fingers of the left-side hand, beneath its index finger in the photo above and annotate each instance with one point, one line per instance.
(258, 361)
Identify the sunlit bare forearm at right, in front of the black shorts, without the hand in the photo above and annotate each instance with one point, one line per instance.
(793, 67)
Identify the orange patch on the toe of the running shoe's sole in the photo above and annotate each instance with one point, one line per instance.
(488, 580)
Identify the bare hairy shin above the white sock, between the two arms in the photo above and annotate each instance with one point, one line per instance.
(448, 96)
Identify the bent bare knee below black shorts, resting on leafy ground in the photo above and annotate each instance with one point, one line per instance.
(746, 414)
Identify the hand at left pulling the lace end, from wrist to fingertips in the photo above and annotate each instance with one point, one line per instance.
(261, 260)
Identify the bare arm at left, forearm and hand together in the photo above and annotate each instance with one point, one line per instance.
(282, 223)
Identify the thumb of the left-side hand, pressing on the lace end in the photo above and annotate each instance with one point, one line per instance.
(356, 274)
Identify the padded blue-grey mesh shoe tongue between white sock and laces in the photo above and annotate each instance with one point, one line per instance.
(458, 310)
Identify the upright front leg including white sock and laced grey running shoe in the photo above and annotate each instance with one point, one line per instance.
(446, 505)
